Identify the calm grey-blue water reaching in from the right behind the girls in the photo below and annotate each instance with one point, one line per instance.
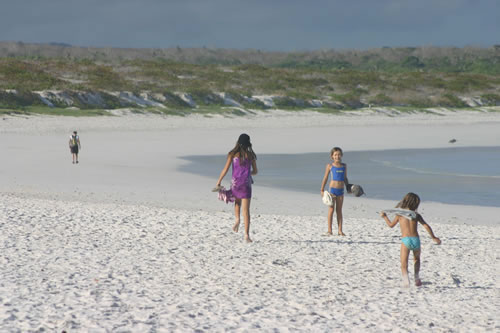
(462, 175)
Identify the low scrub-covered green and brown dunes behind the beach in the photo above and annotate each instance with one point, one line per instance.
(49, 77)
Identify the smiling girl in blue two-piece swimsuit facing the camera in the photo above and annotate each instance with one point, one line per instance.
(338, 172)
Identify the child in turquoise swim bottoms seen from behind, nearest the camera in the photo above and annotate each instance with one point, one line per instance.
(408, 220)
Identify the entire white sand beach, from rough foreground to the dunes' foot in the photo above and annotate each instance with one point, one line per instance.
(124, 241)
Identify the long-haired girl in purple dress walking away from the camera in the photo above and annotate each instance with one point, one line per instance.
(243, 162)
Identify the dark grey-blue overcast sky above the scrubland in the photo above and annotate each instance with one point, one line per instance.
(274, 25)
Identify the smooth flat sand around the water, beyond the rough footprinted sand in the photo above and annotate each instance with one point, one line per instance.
(135, 158)
